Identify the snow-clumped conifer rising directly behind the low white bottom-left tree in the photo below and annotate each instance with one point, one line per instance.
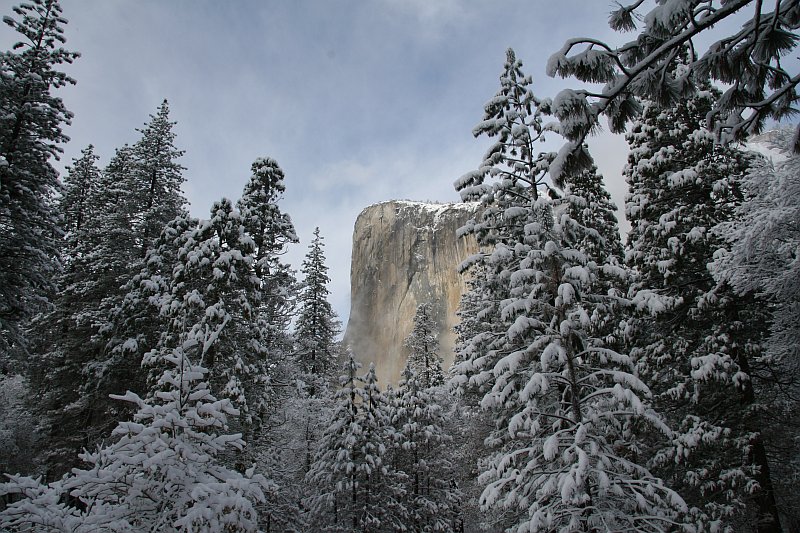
(213, 289)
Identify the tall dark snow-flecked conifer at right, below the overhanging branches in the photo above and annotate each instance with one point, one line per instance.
(701, 352)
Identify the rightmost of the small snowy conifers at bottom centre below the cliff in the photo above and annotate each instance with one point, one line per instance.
(422, 451)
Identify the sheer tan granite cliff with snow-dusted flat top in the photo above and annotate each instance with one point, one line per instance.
(404, 254)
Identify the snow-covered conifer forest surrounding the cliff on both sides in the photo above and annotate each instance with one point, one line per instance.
(160, 372)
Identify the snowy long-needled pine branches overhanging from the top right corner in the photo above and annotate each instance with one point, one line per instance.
(750, 59)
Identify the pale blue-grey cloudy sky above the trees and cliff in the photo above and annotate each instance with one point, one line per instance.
(359, 101)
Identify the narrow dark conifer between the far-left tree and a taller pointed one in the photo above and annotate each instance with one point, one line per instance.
(63, 337)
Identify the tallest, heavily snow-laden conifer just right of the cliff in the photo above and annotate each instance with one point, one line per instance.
(568, 408)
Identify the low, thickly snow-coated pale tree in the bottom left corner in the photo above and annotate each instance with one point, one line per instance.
(161, 471)
